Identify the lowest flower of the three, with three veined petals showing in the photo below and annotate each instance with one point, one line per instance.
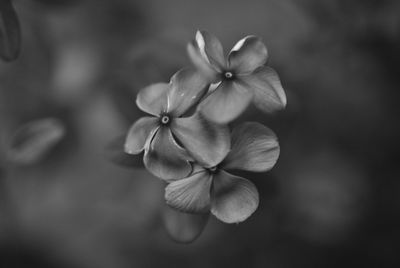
(230, 198)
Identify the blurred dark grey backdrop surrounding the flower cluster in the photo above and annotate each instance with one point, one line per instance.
(332, 200)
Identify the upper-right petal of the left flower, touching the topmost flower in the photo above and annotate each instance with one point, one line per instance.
(187, 87)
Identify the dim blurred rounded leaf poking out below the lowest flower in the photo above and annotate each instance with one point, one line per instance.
(184, 227)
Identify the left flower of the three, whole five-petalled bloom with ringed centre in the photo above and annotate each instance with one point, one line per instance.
(162, 135)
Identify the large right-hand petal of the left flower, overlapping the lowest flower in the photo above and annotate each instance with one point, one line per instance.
(207, 142)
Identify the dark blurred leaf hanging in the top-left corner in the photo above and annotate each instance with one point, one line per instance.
(10, 32)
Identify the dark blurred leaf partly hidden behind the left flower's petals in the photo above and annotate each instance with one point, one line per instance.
(115, 152)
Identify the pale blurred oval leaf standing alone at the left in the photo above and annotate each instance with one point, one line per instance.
(32, 141)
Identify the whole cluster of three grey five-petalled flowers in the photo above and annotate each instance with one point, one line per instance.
(187, 140)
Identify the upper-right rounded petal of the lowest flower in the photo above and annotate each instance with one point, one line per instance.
(254, 148)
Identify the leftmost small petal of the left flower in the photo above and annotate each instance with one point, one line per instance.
(142, 130)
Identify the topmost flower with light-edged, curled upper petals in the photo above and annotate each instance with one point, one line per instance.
(237, 80)
